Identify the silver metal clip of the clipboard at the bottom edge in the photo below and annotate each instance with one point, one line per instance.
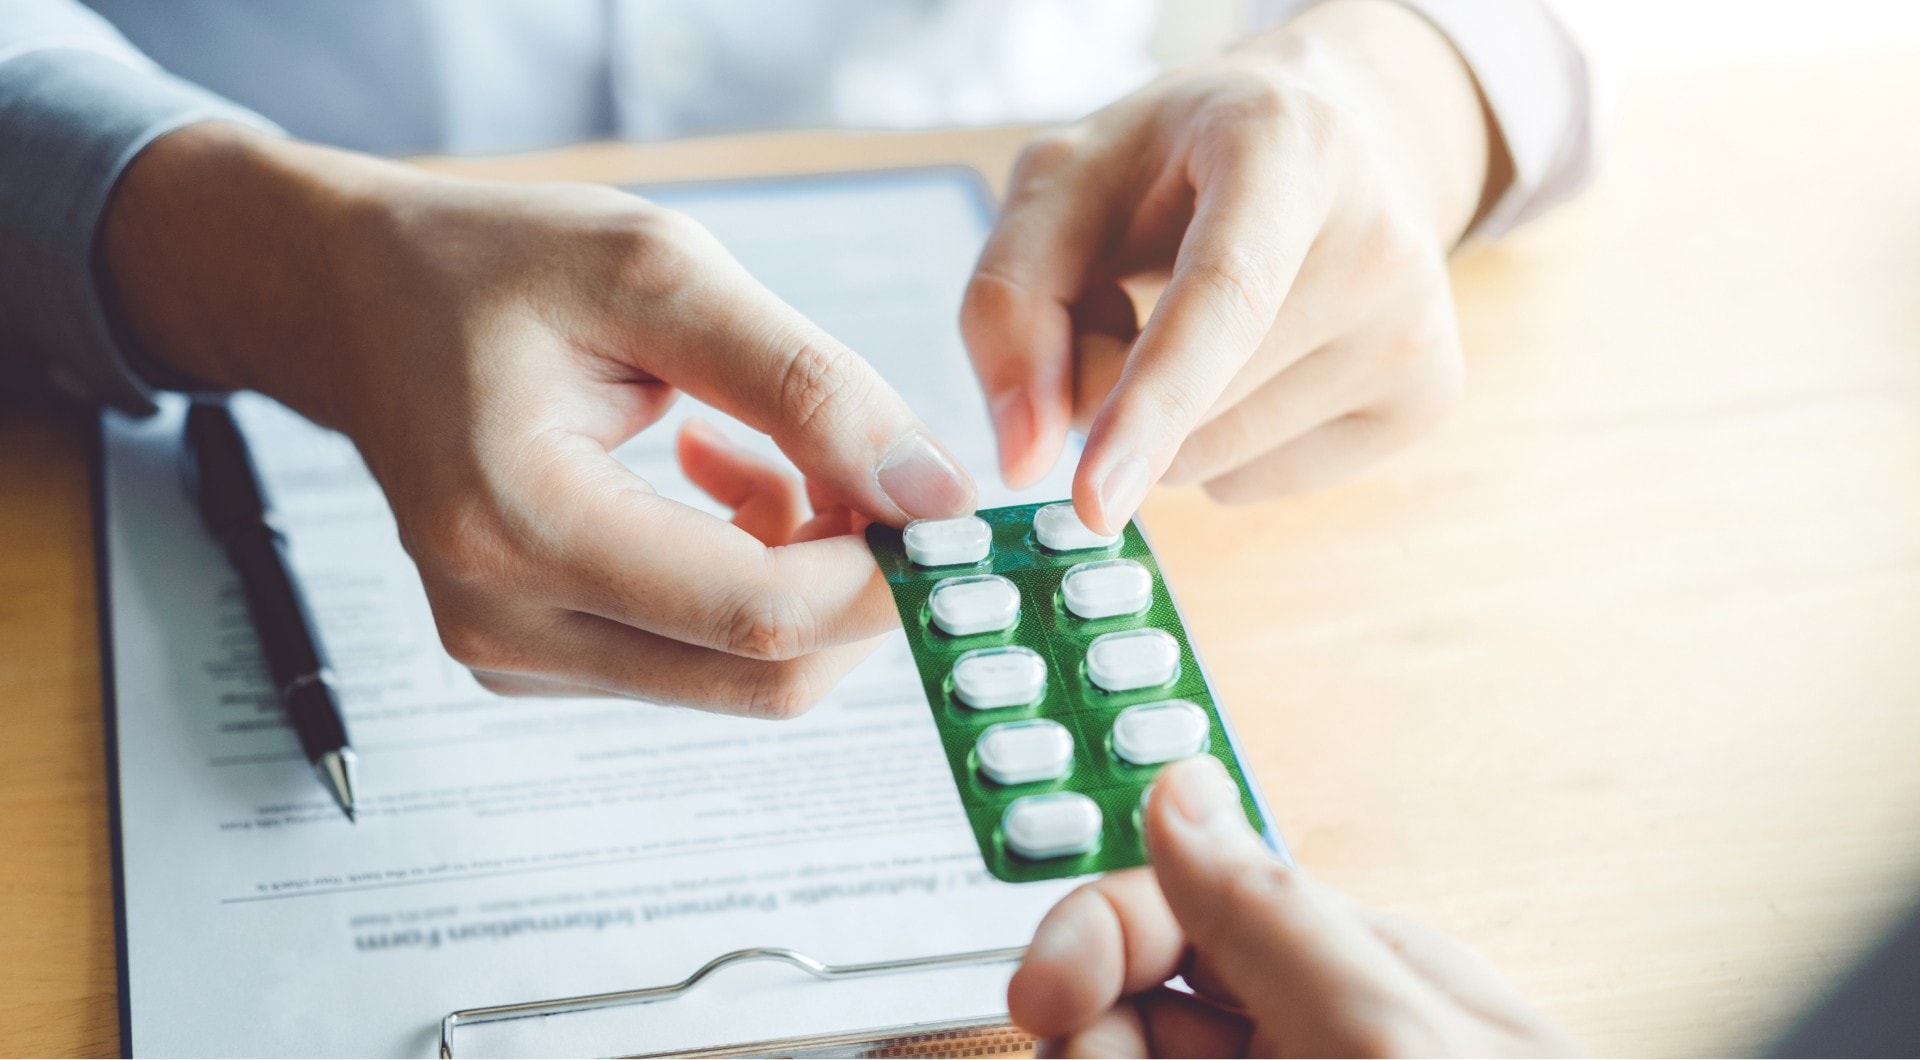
(984, 1036)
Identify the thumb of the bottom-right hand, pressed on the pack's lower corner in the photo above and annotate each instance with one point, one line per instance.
(1262, 928)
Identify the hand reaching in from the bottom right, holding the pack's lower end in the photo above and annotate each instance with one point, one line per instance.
(1280, 965)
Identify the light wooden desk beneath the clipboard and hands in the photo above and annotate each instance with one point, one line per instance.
(1616, 679)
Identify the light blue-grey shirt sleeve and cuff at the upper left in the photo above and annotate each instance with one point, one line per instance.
(78, 103)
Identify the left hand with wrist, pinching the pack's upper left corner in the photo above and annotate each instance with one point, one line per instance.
(487, 347)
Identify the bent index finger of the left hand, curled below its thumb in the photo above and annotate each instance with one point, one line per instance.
(640, 560)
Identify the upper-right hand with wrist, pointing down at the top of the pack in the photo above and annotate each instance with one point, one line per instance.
(1299, 199)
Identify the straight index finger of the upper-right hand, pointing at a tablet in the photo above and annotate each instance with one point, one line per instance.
(1255, 222)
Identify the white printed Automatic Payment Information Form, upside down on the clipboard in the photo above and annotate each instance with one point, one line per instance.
(516, 850)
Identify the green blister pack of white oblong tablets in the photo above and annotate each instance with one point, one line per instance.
(1061, 681)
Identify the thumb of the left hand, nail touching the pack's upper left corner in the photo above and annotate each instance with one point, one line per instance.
(756, 358)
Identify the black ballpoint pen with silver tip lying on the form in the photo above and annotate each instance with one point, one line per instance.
(235, 510)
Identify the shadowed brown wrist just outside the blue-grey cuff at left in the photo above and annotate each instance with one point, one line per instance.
(222, 258)
